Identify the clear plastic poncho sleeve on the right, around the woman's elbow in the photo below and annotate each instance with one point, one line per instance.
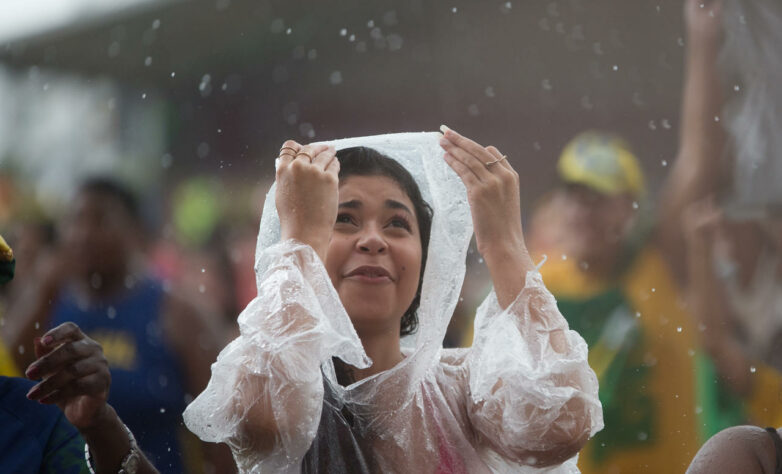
(533, 397)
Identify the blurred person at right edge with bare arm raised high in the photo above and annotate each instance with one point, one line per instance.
(731, 262)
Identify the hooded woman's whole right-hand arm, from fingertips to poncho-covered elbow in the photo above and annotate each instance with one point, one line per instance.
(526, 315)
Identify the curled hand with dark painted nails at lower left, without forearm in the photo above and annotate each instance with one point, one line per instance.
(75, 375)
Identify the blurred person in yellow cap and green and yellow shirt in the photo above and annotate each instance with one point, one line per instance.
(614, 288)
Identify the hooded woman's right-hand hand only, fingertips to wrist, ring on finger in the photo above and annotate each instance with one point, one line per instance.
(492, 190)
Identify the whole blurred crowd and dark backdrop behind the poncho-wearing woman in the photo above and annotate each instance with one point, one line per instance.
(137, 145)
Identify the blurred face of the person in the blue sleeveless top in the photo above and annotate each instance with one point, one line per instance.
(97, 235)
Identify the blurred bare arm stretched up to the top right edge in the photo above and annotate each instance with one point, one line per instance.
(699, 168)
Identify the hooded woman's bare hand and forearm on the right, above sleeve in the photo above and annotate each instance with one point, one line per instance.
(493, 192)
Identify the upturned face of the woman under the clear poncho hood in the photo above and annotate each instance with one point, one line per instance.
(374, 257)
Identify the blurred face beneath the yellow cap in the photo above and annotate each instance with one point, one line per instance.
(592, 225)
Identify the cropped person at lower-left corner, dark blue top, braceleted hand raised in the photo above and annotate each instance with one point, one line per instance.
(36, 436)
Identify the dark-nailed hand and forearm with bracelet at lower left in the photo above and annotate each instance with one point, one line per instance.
(75, 376)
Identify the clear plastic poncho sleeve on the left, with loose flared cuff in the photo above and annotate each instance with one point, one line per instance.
(265, 395)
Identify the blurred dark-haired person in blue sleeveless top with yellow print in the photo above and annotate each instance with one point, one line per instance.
(159, 347)
